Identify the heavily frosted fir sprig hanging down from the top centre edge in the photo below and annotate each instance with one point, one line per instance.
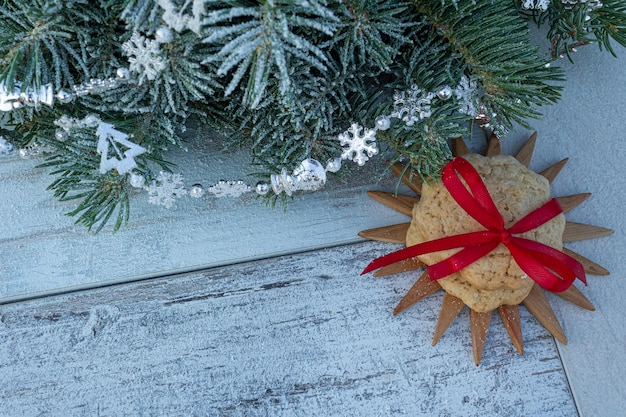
(257, 41)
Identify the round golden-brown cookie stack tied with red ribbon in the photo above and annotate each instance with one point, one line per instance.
(495, 279)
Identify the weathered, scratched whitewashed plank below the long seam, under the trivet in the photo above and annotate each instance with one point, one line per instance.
(297, 335)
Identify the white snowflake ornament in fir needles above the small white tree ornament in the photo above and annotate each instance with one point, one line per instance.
(144, 56)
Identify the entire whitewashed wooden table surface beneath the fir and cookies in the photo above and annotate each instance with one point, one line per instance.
(223, 307)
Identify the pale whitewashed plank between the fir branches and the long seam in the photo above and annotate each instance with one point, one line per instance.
(42, 252)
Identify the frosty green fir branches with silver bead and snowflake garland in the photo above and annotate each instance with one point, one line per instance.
(103, 91)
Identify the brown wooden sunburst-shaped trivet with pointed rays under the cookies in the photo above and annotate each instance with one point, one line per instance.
(536, 302)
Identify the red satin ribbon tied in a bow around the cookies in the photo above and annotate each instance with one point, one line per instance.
(550, 268)
